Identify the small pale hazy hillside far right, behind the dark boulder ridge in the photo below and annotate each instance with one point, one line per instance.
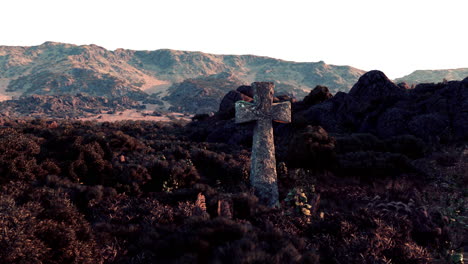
(434, 76)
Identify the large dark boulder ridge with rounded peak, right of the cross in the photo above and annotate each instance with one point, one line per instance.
(375, 105)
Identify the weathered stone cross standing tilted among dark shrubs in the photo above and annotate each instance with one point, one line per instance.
(263, 163)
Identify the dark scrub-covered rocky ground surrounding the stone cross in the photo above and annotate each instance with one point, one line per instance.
(376, 175)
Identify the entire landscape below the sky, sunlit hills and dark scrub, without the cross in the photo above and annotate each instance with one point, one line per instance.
(375, 174)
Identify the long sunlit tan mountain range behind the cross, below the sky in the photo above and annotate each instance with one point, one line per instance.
(57, 68)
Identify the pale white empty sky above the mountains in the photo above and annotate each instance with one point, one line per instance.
(397, 36)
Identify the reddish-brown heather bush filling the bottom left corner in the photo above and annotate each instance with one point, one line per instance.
(41, 225)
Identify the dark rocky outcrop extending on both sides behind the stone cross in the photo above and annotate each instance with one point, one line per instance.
(430, 113)
